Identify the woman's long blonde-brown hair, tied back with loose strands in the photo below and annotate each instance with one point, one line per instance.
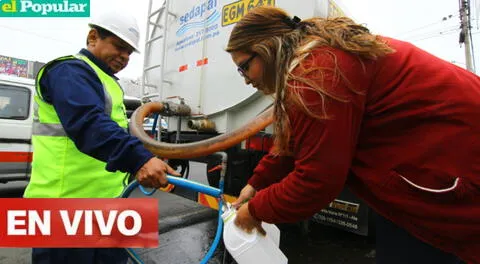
(282, 43)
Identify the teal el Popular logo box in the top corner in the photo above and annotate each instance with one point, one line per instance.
(44, 8)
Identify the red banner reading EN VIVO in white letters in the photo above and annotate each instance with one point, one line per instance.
(76, 223)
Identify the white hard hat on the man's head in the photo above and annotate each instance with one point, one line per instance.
(122, 25)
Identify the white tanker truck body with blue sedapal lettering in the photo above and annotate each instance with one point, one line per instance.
(186, 56)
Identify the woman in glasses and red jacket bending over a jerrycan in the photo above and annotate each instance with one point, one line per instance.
(397, 125)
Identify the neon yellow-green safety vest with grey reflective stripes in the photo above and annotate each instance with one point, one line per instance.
(59, 169)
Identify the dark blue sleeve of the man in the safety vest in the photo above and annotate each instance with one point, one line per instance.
(76, 93)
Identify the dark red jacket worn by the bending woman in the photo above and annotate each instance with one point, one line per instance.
(407, 141)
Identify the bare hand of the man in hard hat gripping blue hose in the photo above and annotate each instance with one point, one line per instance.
(154, 173)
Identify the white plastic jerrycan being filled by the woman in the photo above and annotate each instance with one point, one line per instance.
(251, 248)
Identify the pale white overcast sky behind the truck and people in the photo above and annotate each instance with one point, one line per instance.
(418, 21)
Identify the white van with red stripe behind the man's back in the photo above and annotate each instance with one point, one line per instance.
(16, 118)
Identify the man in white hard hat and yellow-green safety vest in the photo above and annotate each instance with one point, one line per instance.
(81, 145)
